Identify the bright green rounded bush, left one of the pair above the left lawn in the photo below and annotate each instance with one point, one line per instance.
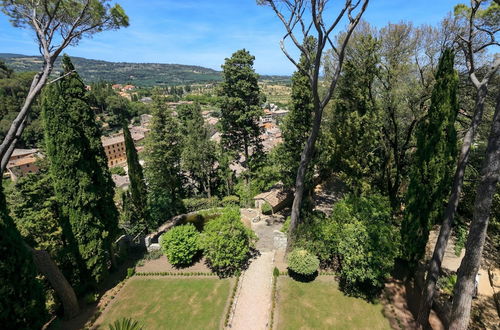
(181, 244)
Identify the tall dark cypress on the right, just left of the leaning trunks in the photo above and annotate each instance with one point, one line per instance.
(433, 162)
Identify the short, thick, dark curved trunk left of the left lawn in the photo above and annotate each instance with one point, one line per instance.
(57, 280)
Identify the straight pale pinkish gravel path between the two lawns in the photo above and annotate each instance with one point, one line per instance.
(253, 304)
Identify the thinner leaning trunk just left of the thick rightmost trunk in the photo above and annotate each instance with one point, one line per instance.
(449, 215)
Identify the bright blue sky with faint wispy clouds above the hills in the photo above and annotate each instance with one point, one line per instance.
(205, 32)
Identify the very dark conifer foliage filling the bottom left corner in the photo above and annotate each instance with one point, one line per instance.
(22, 303)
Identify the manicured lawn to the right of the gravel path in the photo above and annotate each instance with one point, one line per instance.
(320, 305)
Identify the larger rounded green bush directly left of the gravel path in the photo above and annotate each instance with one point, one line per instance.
(227, 242)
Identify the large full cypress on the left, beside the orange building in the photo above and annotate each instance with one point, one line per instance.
(82, 182)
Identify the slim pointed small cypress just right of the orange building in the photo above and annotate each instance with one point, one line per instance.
(138, 191)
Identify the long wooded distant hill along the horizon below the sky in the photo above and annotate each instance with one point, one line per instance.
(139, 74)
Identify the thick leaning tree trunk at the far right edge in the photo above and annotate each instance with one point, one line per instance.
(469, 266)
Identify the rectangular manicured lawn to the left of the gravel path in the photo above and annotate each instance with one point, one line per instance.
(171, 303)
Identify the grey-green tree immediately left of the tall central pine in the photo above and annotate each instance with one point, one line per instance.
(198, 155)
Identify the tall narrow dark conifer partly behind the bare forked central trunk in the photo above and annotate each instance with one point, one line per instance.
(297, 124)
